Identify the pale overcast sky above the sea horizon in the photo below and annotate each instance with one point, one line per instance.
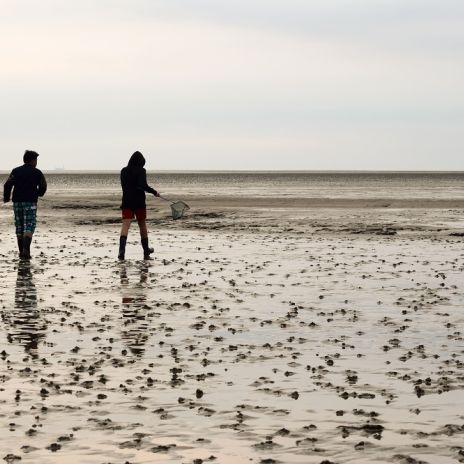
(233, 84)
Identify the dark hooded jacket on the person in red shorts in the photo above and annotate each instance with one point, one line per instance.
(134, 184)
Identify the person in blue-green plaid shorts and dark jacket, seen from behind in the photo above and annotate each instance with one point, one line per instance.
(28, 184)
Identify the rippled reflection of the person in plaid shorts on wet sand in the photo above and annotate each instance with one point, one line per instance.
(26, 326)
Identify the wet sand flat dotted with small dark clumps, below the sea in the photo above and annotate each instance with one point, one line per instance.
(273, 332)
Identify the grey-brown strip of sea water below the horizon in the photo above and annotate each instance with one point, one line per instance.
(404, 185)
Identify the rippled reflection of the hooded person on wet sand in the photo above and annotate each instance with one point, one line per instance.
(135, 331)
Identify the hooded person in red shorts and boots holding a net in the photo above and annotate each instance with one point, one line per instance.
(134, 185)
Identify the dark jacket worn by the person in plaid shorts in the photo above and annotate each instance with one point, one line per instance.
(27, 182)
